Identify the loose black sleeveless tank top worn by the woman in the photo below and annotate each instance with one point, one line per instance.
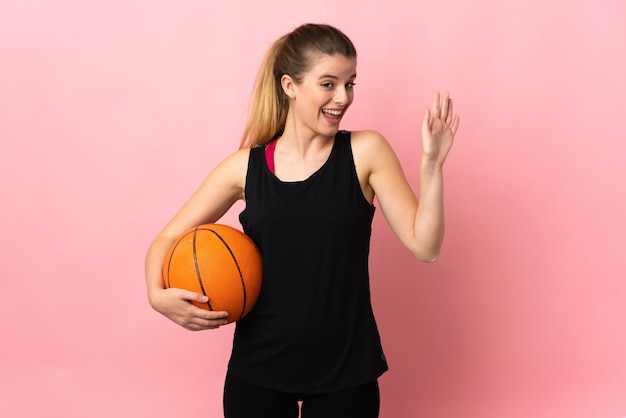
(313, 329)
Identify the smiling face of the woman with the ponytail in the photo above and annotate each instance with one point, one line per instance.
(325, 93)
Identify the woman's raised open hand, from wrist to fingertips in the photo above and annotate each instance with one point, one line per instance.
(438, 129)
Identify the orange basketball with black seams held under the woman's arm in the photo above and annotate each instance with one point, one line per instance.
(220, 262)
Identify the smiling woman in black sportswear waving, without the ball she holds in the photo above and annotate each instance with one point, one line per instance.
(309, 189)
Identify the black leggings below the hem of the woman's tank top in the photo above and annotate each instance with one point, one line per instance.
(246, 400)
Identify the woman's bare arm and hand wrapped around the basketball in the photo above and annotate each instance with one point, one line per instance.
(219, 191)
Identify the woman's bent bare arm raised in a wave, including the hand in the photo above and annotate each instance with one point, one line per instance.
(418, 223)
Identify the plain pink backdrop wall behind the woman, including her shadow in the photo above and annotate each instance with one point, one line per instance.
(111, 113)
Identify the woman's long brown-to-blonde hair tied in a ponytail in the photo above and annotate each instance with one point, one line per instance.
(291, 54)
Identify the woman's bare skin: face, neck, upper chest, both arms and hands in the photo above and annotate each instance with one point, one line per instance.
(302, 149)
